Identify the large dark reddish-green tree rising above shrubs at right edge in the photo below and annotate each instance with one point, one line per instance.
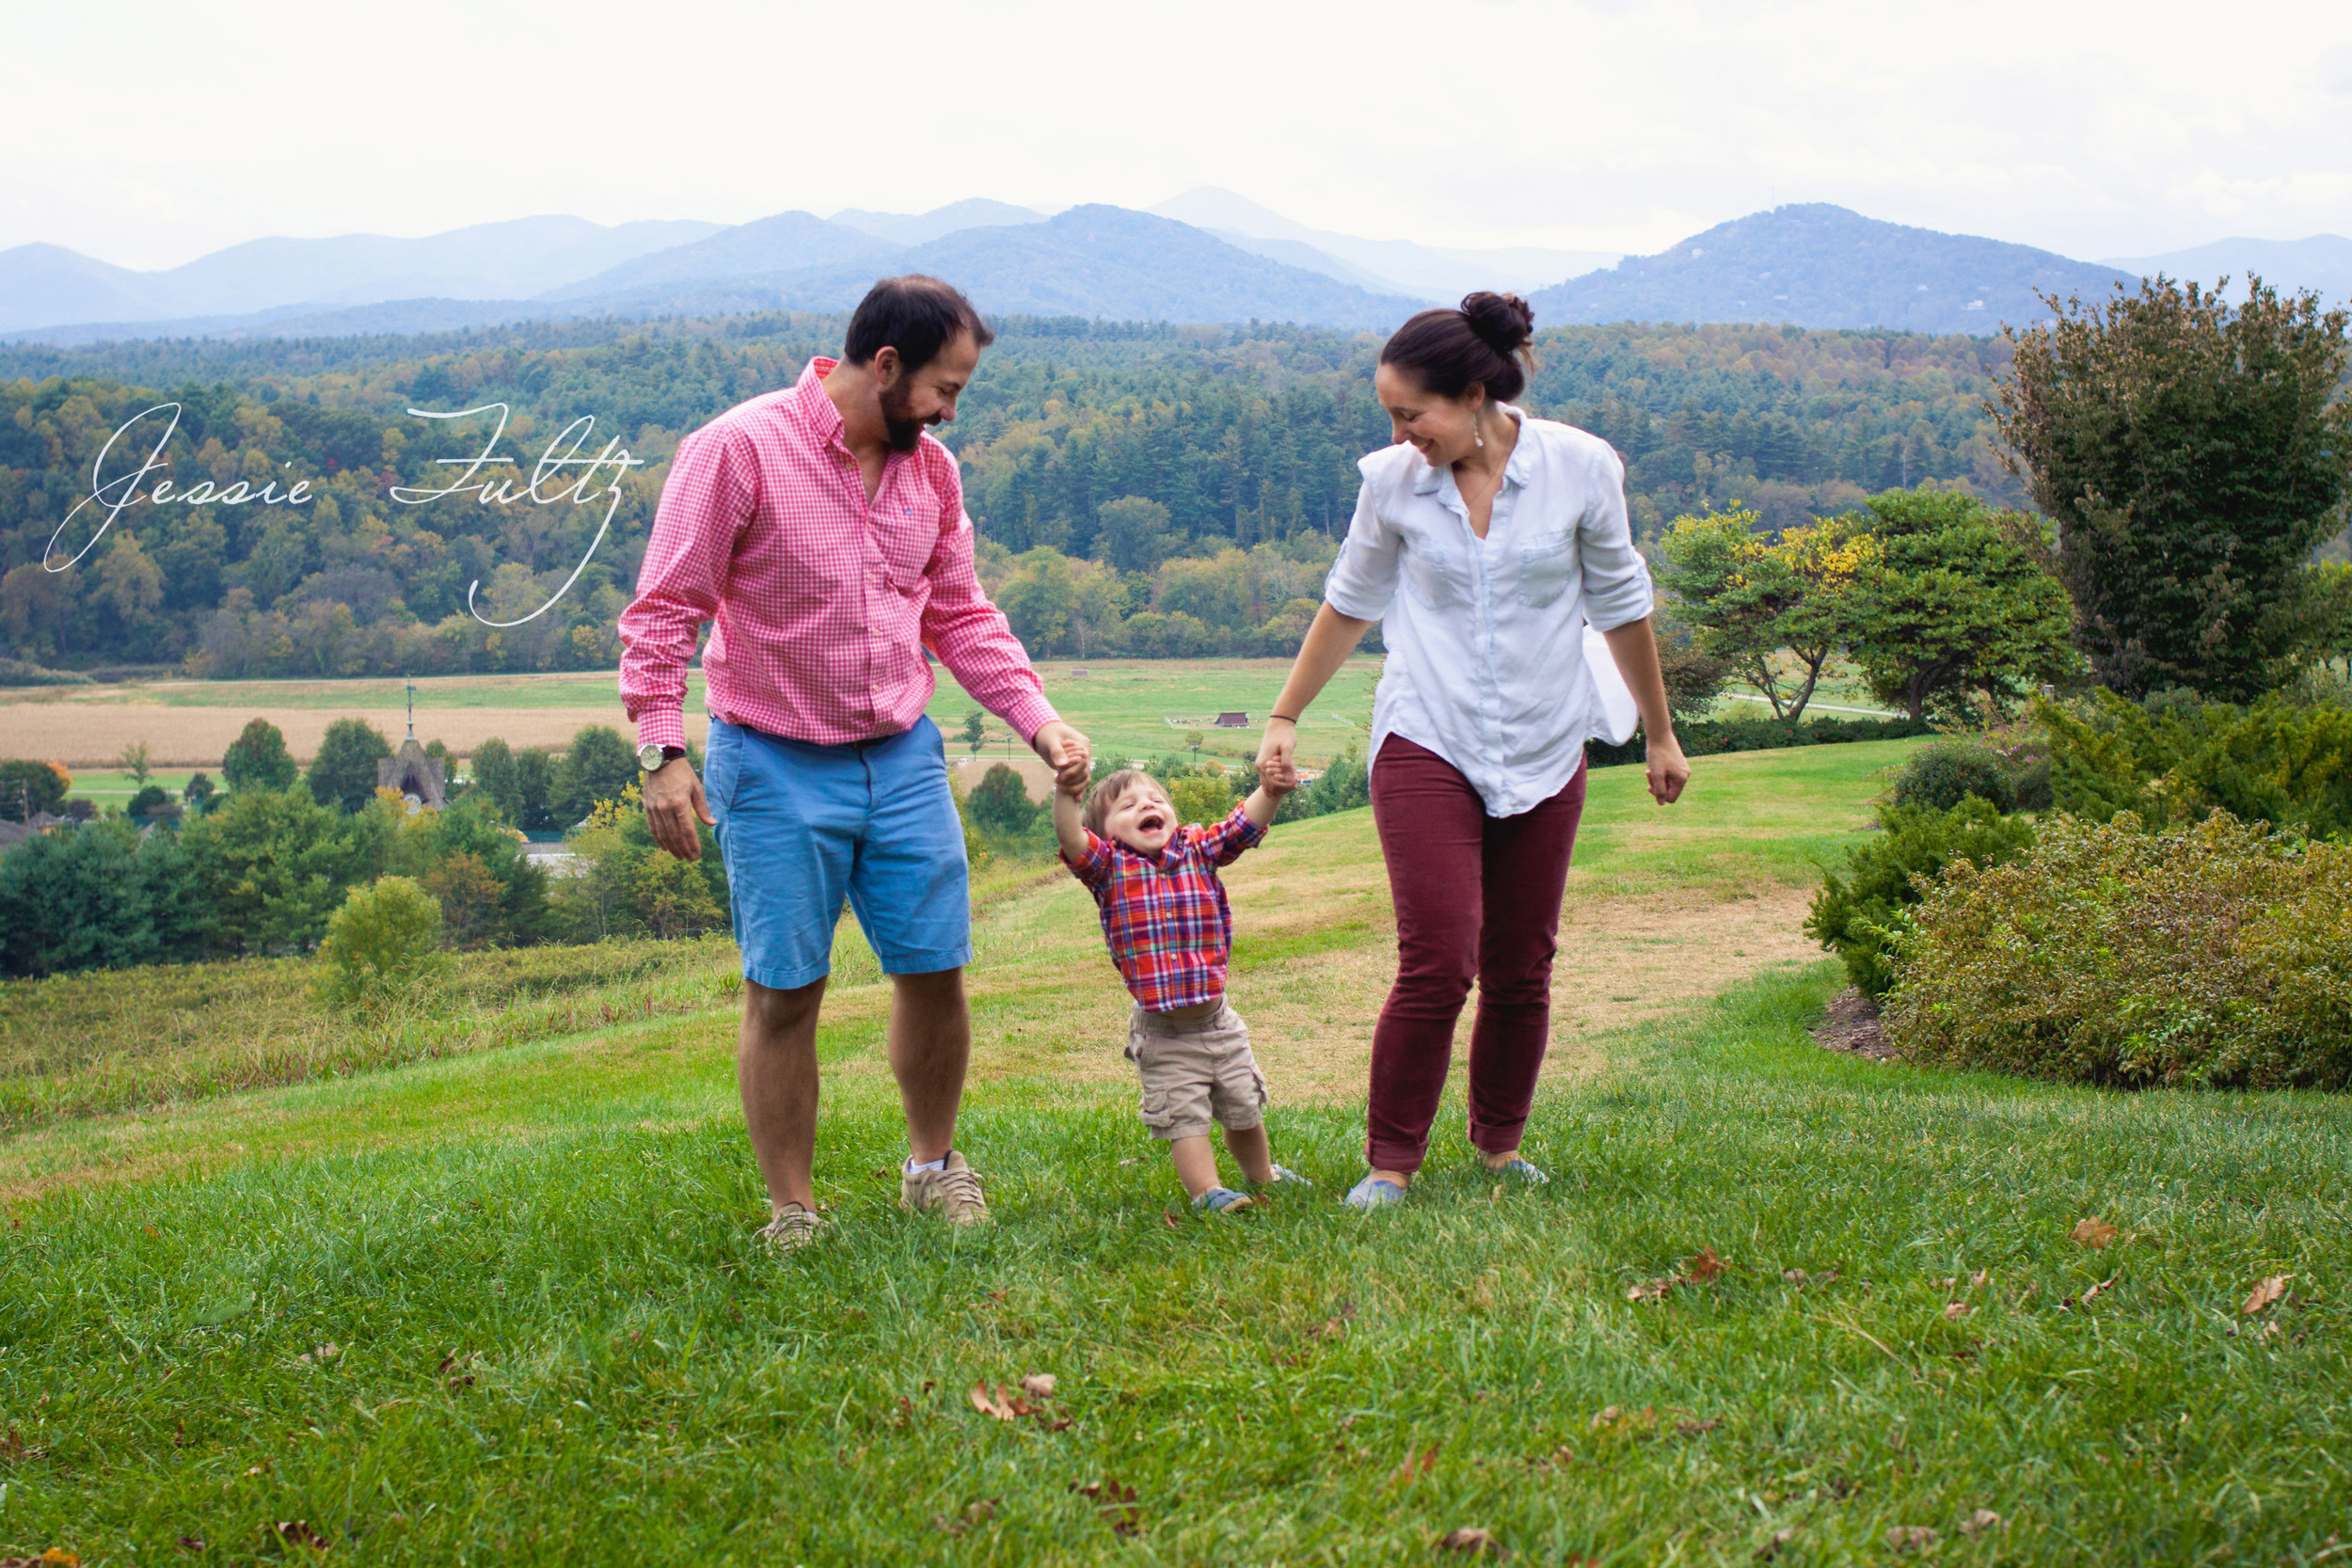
(2193, 455)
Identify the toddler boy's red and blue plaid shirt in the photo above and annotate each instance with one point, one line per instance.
(1165, 918)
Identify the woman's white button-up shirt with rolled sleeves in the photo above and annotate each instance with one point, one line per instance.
(1488, 638)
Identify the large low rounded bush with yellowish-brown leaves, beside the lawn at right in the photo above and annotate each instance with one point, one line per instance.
(2212, 953)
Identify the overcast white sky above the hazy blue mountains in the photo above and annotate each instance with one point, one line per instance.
(154, 133)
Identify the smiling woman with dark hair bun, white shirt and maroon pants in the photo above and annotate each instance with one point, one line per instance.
(1506, 537)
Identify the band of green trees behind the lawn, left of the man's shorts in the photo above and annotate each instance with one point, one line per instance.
(265, 862)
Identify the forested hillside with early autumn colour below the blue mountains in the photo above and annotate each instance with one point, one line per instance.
(1245, 438)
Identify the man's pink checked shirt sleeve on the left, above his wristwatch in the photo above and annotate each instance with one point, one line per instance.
(711, 495)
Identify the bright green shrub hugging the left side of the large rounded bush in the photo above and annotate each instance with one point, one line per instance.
(1864, 911)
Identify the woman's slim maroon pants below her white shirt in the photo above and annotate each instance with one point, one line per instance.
(1478, 897)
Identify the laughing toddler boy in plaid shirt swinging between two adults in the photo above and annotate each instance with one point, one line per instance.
(1170, 934)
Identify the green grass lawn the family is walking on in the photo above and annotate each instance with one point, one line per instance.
(556, 1339)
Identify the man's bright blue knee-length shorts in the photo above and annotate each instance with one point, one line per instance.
(801, 826)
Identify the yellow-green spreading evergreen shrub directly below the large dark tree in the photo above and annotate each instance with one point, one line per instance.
(2179, 760)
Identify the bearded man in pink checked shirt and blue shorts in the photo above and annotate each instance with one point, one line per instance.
(824, 532)
